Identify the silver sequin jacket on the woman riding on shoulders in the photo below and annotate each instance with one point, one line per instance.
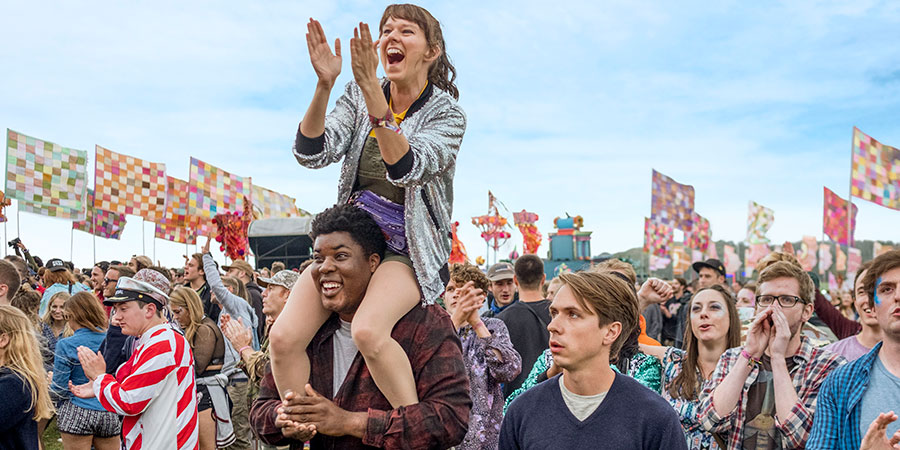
(434, 132)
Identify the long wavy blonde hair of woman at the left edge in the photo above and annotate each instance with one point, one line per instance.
(23, 357)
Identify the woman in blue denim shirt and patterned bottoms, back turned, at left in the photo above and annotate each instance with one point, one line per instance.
(83, 422)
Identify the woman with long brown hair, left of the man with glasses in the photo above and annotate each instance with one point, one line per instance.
(712, 326)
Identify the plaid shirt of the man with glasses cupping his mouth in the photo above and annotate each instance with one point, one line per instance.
(811, 367)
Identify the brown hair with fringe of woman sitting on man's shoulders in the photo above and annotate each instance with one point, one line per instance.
(442, 74)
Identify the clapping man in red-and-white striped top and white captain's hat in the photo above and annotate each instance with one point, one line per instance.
(155, 388)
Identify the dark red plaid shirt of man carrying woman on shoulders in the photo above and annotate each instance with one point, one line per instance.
(439, 420)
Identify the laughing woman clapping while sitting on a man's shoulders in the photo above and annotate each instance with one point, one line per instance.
(397, 138)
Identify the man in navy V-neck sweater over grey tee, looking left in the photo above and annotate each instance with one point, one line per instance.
(589, 405)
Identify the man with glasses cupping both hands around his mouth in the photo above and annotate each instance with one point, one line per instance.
(763, 395)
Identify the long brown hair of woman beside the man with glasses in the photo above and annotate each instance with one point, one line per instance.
(686, 384)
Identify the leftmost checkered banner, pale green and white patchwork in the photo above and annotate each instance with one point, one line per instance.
(50, 178)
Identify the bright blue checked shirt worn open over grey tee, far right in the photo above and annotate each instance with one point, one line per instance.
(837, 423)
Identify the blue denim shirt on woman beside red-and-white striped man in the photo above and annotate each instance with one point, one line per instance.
(66, 366)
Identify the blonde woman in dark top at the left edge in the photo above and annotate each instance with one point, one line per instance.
(24, 390)
